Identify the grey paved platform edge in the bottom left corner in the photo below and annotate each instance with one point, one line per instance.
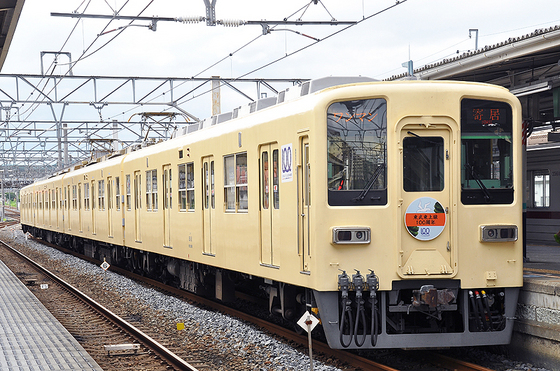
(30, 337)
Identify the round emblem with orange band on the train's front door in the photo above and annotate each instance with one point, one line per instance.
(425, 218)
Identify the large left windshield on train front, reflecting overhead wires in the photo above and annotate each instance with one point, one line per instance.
(357, 152)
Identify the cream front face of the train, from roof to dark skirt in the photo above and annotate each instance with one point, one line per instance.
(416, 192)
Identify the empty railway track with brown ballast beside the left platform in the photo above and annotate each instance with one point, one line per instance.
(101, 332)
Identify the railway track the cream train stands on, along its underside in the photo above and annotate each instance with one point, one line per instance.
(354, 361)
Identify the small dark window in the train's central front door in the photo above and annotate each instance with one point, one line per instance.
(423, 166)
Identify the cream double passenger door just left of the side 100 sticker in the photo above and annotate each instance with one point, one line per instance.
(270, 201)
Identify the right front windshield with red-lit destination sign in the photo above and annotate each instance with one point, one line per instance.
(486, 152)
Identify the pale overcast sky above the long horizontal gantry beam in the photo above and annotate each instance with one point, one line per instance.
(427, 30)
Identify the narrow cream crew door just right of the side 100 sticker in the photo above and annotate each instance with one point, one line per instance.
(304, 204)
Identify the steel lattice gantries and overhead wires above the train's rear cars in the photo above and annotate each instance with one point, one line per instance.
(51, 122)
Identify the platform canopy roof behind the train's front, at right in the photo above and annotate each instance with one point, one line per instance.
(528, 65)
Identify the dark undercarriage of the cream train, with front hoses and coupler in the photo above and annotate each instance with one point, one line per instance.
(414, 314)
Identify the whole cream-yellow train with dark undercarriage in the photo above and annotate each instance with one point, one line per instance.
(391, 210)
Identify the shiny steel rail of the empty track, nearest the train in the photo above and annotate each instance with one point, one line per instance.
(159, 349)
